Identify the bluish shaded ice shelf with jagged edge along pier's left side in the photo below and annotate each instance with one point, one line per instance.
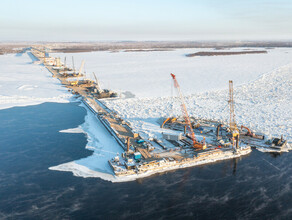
(104, 148)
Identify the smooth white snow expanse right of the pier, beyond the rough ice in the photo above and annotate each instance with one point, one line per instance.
(147, 74)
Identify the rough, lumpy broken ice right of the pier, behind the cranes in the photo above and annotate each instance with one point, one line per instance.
(264, 105)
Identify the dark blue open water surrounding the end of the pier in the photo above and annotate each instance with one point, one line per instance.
(257, 186)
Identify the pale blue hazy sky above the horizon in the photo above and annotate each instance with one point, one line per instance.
(80, 20)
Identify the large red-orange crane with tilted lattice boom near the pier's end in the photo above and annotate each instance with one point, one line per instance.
(196, 144)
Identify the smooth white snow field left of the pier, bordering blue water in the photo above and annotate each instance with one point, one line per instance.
(24, 83)
